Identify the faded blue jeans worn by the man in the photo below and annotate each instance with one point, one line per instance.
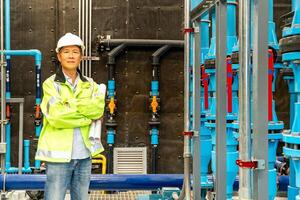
(74, 175)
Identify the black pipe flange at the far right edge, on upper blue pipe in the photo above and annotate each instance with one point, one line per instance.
(290, 44)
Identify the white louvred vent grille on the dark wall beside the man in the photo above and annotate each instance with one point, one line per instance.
(130, 160)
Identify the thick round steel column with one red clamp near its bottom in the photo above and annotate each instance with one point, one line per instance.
(245, 187)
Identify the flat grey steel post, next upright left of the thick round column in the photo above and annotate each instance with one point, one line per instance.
(221, 102)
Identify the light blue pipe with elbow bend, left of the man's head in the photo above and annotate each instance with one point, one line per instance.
(32, 52)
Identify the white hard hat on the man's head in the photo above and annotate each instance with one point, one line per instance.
(69, 39)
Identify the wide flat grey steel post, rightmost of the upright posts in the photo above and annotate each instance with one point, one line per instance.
(260, 91)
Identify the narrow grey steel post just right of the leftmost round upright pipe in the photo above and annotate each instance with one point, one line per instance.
(197, 111)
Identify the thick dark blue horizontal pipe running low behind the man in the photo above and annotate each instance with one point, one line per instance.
(114, 181)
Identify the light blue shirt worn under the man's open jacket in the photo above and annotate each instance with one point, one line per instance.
(79, 150)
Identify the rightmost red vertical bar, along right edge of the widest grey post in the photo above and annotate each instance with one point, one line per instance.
(270, 80)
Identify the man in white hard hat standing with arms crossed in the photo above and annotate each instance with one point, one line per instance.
(70, 103)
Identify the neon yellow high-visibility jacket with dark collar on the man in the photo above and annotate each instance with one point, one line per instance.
(64, 110)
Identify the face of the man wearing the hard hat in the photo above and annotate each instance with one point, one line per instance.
(70, 57)
